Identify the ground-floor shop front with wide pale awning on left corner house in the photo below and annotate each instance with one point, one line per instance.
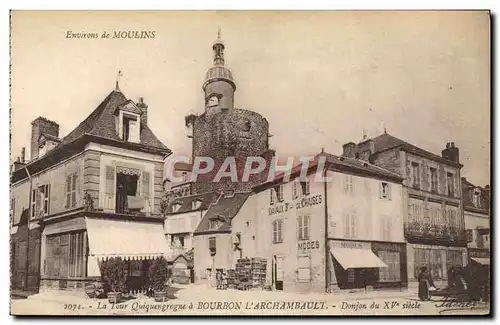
(74, 249)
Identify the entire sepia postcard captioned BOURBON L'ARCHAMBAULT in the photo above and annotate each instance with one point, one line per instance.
(250, 163)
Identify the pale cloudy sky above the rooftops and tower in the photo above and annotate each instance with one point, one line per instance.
(319, 78)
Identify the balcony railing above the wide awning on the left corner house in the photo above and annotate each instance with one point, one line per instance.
(121, 204)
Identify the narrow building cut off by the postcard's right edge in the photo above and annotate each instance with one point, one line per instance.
(477, 204)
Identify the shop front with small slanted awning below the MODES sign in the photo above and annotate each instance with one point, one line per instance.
(356, 265)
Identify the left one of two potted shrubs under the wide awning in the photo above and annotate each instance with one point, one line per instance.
(114, 272)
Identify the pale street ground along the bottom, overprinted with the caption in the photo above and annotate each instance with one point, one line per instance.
(205, 300)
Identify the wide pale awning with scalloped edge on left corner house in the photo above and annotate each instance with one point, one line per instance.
(133, 240)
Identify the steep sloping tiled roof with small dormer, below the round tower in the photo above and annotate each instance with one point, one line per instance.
(225, 208)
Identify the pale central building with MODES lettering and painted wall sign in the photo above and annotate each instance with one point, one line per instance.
(308, 230)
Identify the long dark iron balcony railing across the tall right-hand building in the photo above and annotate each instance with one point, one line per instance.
(442, 233)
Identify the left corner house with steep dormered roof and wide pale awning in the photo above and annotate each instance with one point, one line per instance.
(88, 196)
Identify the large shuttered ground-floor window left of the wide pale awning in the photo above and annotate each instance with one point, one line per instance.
(66, 255)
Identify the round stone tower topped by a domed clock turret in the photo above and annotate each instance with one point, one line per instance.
(224, 131)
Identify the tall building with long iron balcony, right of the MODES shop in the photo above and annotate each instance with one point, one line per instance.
(433, 210)
